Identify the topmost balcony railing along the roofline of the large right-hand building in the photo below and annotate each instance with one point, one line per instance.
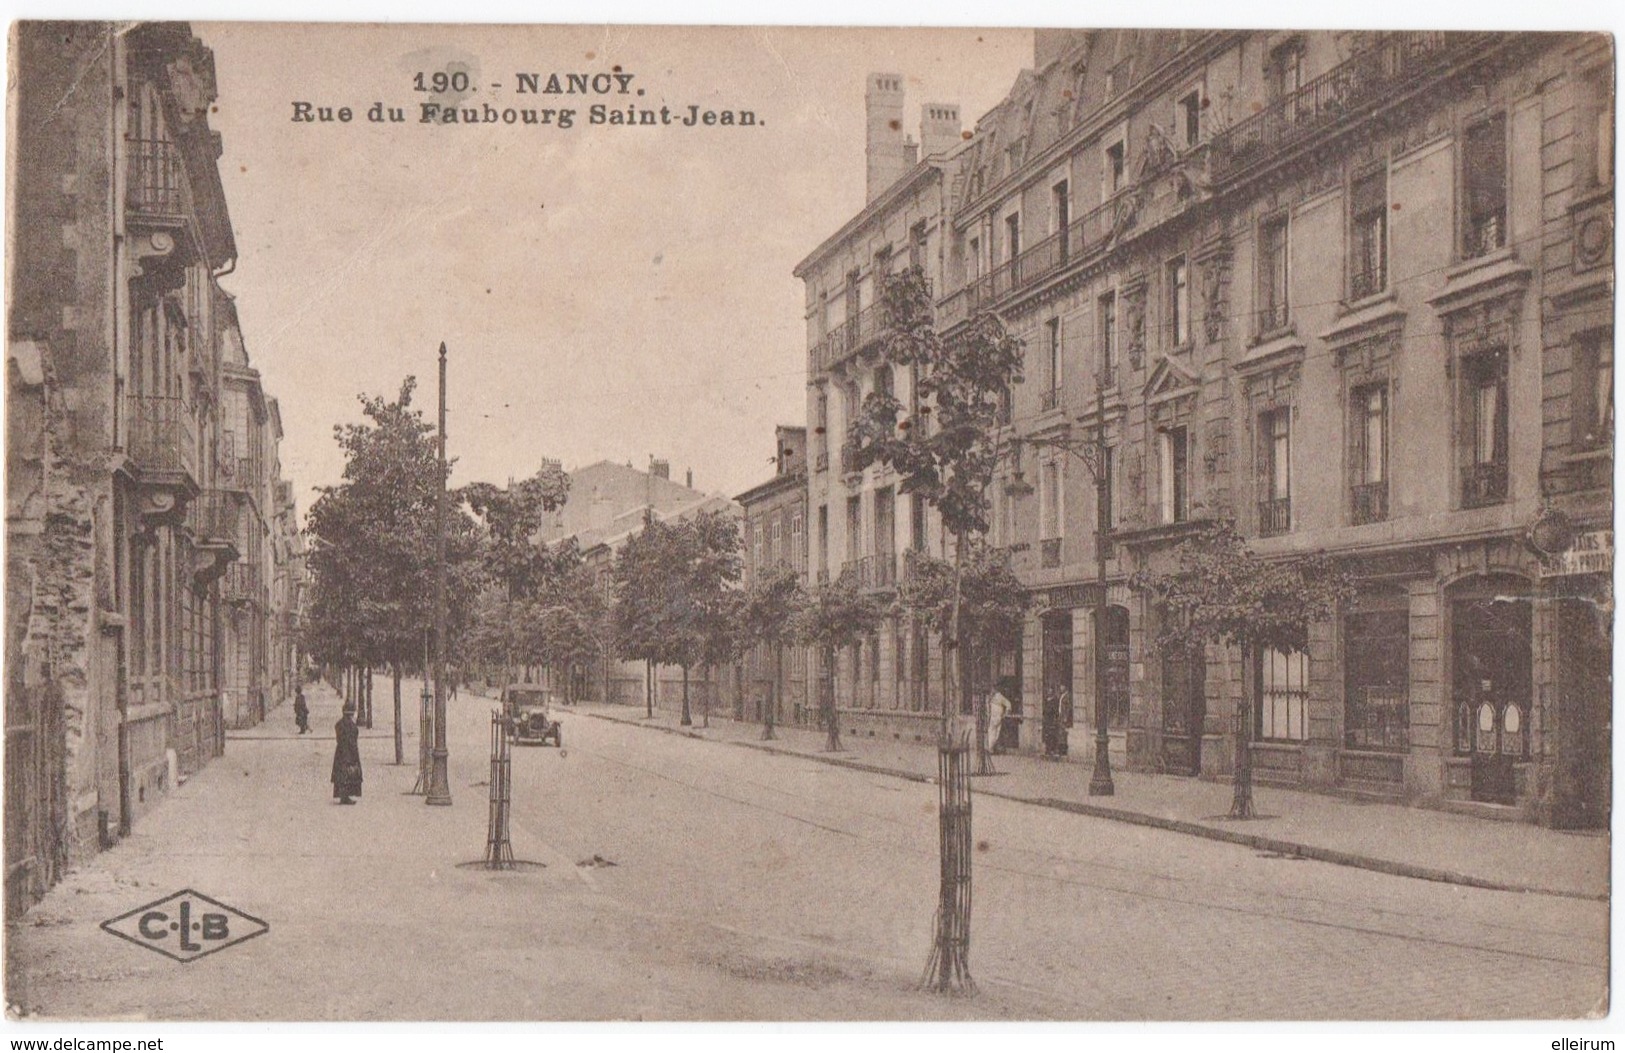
(1337, 98)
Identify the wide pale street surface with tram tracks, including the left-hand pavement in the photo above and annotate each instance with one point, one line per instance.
(755, 886)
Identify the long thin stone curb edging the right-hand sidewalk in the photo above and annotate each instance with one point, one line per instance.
(1176, 826)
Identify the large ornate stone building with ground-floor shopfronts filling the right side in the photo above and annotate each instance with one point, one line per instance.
(1353, 293)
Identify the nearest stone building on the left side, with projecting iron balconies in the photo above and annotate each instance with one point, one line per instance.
(121, 527)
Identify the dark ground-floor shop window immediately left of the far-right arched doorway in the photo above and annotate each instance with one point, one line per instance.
(1377, 670)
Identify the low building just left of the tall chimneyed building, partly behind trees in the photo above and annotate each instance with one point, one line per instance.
(774, 534)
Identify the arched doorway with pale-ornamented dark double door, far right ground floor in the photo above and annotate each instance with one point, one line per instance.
(1493, 687)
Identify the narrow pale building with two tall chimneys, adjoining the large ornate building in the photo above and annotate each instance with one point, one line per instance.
(859, 522)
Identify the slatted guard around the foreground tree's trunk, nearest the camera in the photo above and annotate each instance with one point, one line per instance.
(950, 966)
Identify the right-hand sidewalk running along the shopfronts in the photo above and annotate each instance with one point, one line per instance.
(1395, 839)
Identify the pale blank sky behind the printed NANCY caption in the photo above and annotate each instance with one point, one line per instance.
(604, 292)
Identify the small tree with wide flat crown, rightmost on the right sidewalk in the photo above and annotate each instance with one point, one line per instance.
(1223, 594)
